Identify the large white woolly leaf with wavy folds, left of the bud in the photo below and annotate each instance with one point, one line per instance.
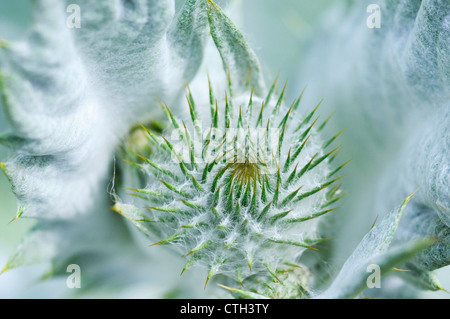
(70, 94)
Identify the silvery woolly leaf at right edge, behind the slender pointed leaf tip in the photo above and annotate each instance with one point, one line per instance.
(424, 162)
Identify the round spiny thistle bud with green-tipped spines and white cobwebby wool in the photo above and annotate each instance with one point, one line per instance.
(241, 194)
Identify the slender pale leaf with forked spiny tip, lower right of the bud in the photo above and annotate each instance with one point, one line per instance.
(374, 249)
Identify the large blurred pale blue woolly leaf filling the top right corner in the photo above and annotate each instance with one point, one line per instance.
(393, 76)
